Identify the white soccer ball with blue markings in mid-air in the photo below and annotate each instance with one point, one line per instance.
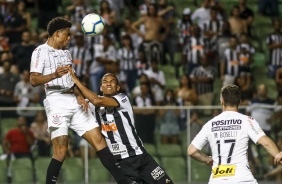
(92, 24)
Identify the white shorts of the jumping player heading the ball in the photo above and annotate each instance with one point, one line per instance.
(63, 112)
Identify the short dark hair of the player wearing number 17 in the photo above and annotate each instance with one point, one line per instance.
(231, 95)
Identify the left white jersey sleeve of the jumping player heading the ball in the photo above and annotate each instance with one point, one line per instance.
(38, 60)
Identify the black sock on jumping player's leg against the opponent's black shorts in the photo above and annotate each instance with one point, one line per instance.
(109, 161)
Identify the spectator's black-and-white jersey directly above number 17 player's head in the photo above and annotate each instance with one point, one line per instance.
(231, 59)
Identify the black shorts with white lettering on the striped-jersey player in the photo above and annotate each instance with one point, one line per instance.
(143, 169)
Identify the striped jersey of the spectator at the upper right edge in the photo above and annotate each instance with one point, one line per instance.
(275, 53)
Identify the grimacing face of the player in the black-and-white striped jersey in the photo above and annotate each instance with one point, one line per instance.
(109, 86)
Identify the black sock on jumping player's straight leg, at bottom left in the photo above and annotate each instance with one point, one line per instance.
(53, 171)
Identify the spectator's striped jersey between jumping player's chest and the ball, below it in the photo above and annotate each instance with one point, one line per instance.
(81, 56)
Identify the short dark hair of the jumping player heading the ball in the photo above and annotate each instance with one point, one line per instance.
(56, 24)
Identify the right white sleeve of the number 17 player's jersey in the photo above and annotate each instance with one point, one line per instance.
(254, 130)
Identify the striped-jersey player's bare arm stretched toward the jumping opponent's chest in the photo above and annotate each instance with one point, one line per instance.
(93, 97)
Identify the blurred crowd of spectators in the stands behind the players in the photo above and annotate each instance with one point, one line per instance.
(165, 53)
